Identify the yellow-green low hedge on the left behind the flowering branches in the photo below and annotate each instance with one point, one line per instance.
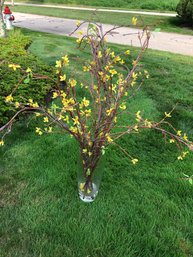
(14, 50)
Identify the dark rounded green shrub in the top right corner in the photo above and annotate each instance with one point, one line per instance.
(185, 11)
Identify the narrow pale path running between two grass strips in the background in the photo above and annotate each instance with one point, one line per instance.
(96, 9)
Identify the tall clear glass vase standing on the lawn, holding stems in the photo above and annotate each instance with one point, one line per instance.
(89, 179)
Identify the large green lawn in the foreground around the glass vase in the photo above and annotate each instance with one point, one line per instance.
(141, 211)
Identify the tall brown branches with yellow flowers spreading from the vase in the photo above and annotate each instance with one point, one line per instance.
(93, 120)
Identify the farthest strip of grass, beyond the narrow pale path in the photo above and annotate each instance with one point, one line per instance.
(133, 4)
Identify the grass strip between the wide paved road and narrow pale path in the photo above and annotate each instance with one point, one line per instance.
(169, 24)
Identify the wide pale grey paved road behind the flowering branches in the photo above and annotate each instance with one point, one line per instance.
(175, 43)
